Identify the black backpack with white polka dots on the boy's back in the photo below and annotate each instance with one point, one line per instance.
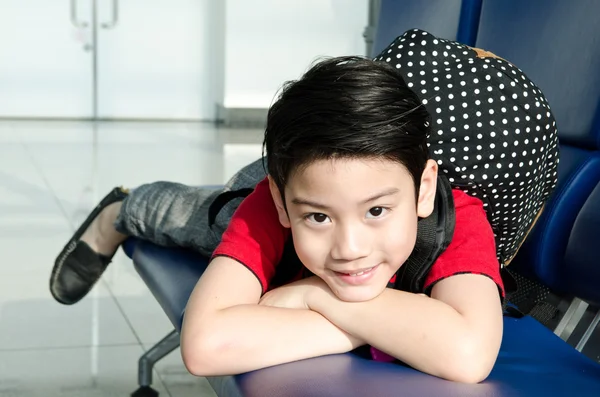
(492, 131)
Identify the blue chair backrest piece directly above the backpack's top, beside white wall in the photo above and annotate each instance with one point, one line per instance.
(448, 19)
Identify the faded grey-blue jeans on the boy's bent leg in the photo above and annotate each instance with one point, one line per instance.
(173, 214)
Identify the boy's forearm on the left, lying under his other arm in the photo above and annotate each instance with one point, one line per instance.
(249, 337)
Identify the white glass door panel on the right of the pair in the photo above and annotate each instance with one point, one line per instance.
(160, 59)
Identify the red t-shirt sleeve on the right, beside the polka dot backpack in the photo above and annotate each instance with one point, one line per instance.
(472, 249)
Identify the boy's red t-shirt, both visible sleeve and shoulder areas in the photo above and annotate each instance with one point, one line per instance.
(256, 239)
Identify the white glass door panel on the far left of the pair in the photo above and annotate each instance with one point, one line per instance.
(46, 59)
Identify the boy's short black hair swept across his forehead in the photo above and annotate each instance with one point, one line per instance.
(346, 107)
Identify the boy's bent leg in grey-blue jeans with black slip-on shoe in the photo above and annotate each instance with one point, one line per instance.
(165, 213)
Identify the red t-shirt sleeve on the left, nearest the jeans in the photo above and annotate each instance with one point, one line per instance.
(254, 237)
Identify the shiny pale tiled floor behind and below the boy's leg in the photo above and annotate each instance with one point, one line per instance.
(51, 174)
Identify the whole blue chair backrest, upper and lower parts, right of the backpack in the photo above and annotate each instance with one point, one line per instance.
(556, 43)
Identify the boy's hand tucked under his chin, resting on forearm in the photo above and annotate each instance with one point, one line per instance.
(295, 295)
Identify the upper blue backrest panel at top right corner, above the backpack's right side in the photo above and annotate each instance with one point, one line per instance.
(557, 44)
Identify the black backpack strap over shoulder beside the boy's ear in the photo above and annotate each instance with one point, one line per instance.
(434, 234)
